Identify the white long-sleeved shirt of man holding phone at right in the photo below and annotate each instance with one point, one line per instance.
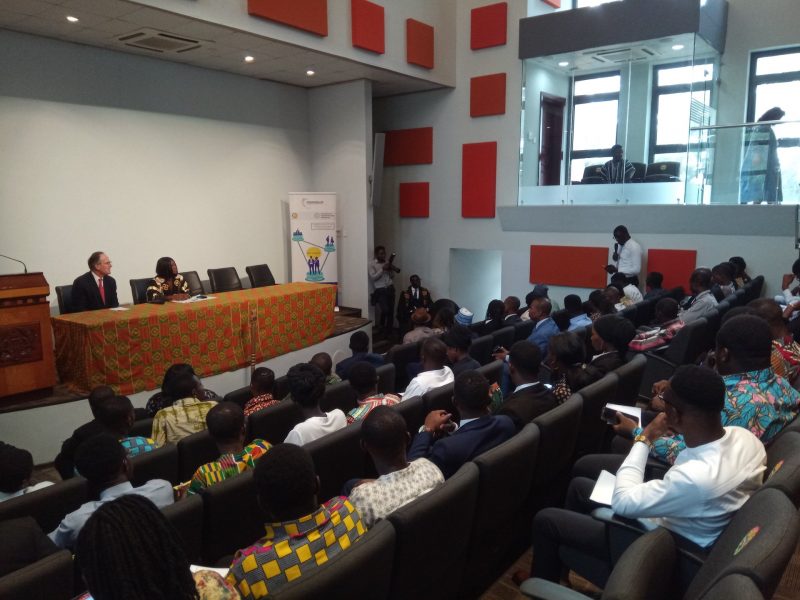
(700, 493)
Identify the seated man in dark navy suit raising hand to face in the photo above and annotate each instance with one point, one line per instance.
(478, 430)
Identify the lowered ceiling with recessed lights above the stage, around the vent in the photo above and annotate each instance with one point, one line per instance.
(223, 49)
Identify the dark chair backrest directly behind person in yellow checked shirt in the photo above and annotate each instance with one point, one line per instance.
(364, 571)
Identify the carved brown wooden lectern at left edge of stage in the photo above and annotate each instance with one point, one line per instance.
(26, 338)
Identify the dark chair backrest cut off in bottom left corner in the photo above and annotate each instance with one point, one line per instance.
(50, 578)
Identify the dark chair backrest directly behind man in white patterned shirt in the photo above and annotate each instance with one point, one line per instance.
(434, 530)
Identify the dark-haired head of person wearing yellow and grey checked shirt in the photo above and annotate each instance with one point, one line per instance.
(286, 481)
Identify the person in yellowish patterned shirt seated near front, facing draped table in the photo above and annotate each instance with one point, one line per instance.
(186, 416)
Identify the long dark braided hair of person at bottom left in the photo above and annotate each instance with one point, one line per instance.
(127, 550)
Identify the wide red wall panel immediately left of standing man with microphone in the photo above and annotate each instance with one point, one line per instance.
(570, 266)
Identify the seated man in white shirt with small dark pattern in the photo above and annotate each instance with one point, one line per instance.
(384, 437)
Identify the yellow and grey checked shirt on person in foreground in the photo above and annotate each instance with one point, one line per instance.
(292, 548)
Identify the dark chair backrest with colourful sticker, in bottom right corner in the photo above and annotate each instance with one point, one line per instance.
(758, 542)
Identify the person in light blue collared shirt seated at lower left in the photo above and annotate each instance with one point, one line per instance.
(104, 463)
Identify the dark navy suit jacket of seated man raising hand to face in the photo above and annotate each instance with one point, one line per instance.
(450, 452)
